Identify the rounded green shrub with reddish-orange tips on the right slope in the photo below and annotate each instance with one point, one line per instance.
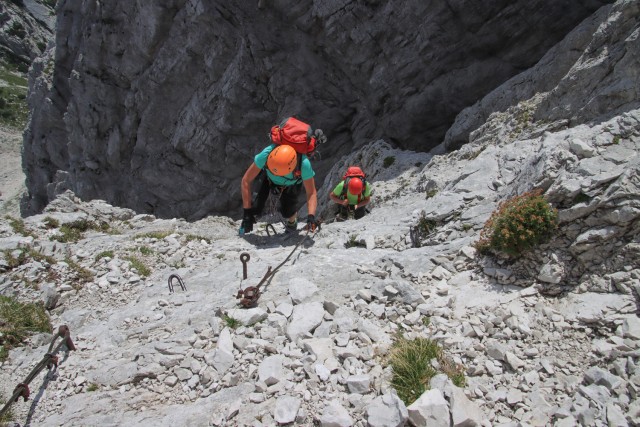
(518, 225)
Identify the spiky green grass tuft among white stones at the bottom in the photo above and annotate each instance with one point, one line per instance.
(413, 370)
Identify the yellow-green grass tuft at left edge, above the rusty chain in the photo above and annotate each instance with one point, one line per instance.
(19, 320)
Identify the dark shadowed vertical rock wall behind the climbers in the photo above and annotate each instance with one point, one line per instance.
(161, 108)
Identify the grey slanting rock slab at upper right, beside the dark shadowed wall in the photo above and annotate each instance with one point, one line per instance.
(589, 77)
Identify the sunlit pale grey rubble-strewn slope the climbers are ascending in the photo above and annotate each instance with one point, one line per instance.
(550, 338)
